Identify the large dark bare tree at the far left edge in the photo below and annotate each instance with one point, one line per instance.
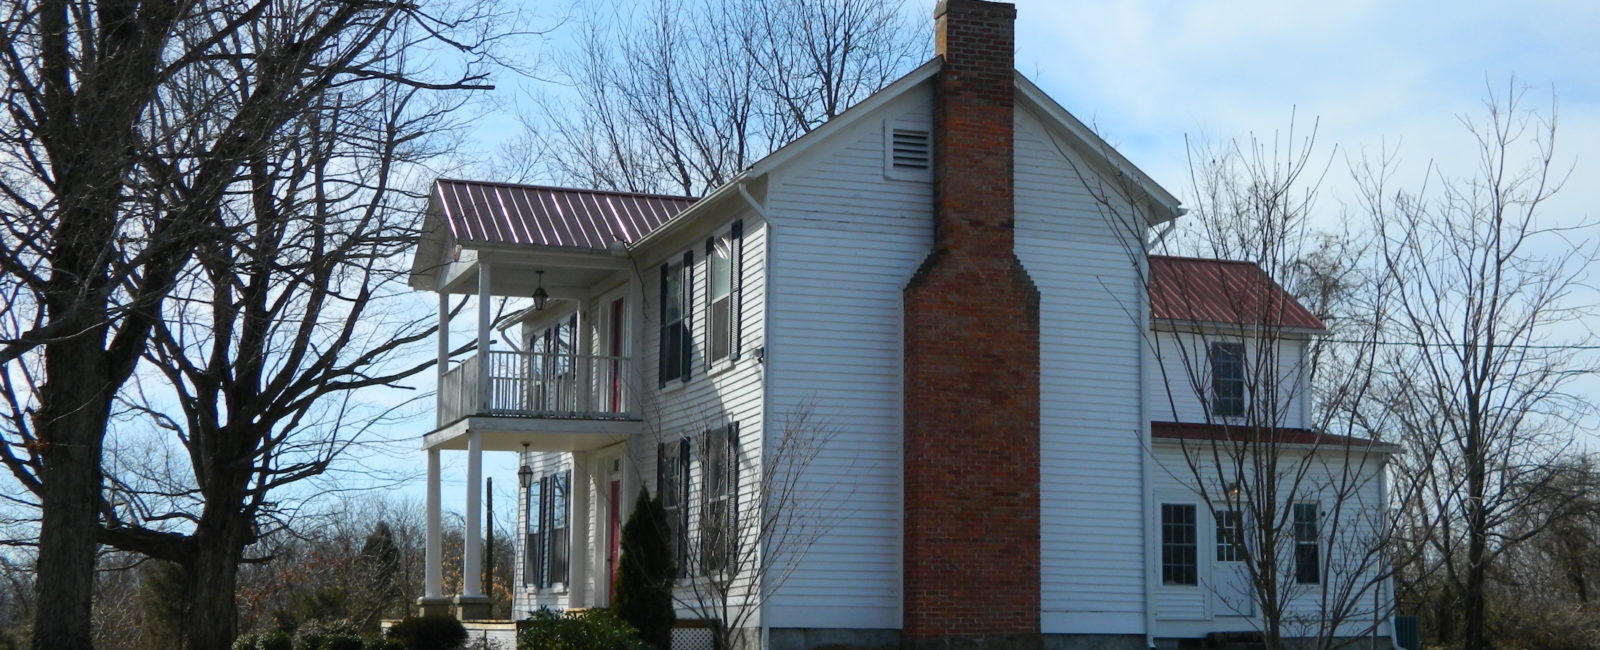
(127, 129)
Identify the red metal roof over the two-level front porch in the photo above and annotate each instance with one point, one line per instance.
(550, 217)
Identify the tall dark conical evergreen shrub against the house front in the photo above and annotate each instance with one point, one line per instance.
(644, 577)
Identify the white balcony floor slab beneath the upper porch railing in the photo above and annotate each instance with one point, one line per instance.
(540, 435)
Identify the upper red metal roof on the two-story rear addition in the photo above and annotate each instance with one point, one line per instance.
(1222, 292)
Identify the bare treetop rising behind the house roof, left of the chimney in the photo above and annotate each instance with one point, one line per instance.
(673, 97)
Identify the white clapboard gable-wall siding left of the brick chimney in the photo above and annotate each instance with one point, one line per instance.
(846, 243)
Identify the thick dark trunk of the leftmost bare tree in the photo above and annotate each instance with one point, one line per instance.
(74, 409)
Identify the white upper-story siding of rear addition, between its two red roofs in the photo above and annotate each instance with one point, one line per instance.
(1180, 379)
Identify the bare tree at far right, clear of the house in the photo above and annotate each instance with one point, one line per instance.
(1489, 307)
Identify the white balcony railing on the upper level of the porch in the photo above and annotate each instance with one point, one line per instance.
(537, 385)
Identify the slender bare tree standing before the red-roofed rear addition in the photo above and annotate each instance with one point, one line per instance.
(1297, 496)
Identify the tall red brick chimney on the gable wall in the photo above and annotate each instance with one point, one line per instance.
(972, 363)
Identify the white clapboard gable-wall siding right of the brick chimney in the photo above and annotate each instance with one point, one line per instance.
(1092, 504)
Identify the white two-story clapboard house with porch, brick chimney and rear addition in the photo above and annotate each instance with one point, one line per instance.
(911, 380)
